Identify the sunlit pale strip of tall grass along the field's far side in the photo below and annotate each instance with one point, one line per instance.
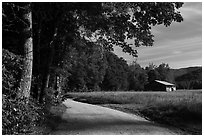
(146, 98)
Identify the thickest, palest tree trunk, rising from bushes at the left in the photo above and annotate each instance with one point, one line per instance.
(25, 84)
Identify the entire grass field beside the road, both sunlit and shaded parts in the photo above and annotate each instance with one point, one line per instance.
(182, 109)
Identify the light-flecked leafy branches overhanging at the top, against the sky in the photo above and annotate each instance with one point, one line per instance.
(116, 22)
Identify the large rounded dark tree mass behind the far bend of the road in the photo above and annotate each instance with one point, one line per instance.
(86, 66)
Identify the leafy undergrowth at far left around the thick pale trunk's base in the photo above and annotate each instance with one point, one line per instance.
(18, 117)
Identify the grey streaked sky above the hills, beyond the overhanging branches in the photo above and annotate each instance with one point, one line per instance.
(179, 45)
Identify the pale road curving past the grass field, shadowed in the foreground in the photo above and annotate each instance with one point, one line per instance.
(86, 119)
